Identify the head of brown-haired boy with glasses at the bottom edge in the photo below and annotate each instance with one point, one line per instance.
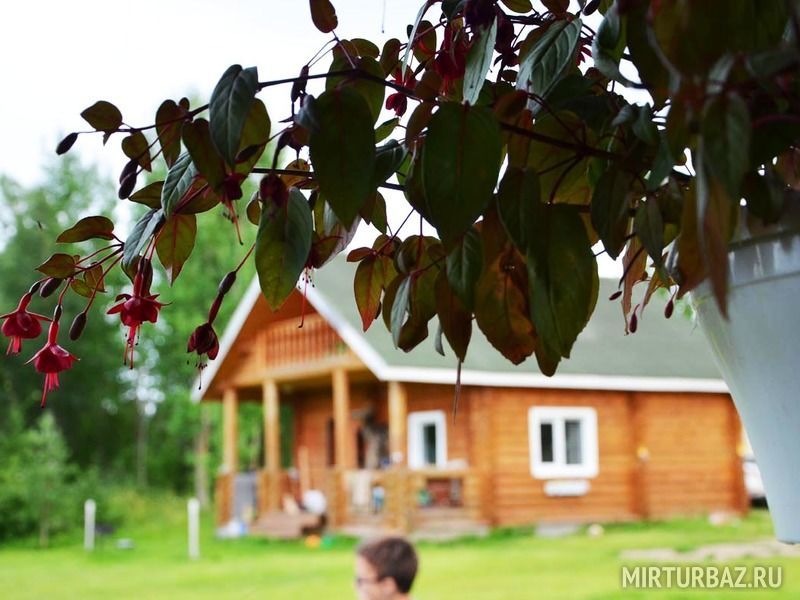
(385, 569)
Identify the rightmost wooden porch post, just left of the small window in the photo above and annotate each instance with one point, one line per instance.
(398, 502)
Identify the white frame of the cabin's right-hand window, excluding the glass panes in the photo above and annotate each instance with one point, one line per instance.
(557, 416)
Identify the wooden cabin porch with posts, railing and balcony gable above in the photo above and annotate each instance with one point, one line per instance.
(345, 439)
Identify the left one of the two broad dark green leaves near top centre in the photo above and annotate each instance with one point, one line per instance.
(343, 151)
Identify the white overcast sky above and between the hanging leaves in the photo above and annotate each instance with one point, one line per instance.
(57, 58)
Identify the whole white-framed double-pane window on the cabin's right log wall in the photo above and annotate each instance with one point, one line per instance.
(563, 441)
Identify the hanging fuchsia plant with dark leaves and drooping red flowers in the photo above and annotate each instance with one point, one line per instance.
(519, 150)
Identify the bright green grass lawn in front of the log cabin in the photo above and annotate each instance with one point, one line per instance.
(506, 565)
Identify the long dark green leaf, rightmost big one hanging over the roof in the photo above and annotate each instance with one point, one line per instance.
(563, 278)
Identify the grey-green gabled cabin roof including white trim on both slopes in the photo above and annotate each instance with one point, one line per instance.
(663, 355)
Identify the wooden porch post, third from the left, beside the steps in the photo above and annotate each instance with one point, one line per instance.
(342, 445)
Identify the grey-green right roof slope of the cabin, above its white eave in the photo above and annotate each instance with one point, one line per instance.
(661, 349)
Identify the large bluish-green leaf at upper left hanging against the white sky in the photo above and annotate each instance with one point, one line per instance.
(228, 109)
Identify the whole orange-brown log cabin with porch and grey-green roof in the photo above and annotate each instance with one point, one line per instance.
(631, 427)
